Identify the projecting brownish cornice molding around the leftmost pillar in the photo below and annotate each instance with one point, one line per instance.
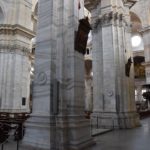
(16, 29)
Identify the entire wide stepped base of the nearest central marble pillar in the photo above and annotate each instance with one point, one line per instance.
(57, 133)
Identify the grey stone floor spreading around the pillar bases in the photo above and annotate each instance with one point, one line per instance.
(131, 139)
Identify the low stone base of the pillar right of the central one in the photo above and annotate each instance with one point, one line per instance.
(113, 120)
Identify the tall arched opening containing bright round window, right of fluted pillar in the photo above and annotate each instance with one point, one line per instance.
(138, 53)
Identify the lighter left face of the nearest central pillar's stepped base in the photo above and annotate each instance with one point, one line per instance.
(39, 133)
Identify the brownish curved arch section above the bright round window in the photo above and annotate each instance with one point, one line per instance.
(136, 22)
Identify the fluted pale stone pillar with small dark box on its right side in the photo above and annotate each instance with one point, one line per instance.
(114, 102)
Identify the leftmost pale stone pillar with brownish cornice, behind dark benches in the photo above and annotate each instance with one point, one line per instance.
(15, 38)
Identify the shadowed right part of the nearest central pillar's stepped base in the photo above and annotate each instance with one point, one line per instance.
(78, 132)
